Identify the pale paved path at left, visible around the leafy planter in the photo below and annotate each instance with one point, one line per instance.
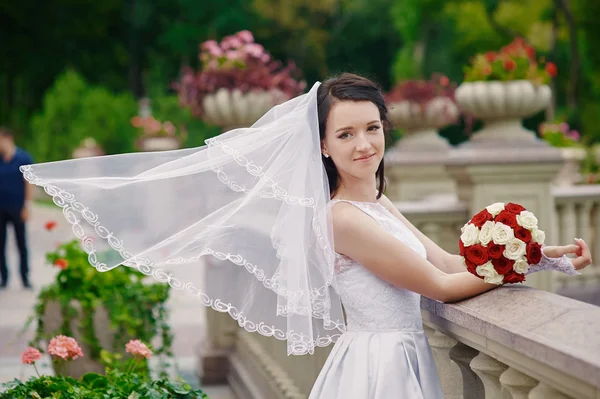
(16, 304)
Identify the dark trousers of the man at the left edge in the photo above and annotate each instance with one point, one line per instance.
(14, 218)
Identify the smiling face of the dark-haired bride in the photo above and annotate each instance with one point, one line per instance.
(354, 138)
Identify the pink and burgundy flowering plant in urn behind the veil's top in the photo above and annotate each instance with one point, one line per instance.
(237, 62)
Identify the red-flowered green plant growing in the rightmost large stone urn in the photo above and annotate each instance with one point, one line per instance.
(515, 61)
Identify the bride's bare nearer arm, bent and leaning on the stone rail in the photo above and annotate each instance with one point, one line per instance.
(359, 237)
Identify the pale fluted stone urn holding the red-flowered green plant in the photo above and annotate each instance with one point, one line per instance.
(501, 106)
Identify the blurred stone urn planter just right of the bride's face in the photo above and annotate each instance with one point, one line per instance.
(421, 122)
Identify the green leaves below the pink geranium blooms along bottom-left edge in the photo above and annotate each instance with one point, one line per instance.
(114, 385)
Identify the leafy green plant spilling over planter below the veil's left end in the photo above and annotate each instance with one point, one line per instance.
(136, 309)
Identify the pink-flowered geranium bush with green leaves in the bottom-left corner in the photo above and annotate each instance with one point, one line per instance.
(123, 381)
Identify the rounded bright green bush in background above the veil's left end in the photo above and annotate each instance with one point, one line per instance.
(73, 110)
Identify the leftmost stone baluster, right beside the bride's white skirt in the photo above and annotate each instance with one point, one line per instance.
(448, 371)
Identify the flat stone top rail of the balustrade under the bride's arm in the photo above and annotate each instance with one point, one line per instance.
(556, 331)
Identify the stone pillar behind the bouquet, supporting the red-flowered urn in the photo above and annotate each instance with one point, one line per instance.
(491, 169)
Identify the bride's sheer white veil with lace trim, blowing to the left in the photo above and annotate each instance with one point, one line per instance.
(254, 198)
